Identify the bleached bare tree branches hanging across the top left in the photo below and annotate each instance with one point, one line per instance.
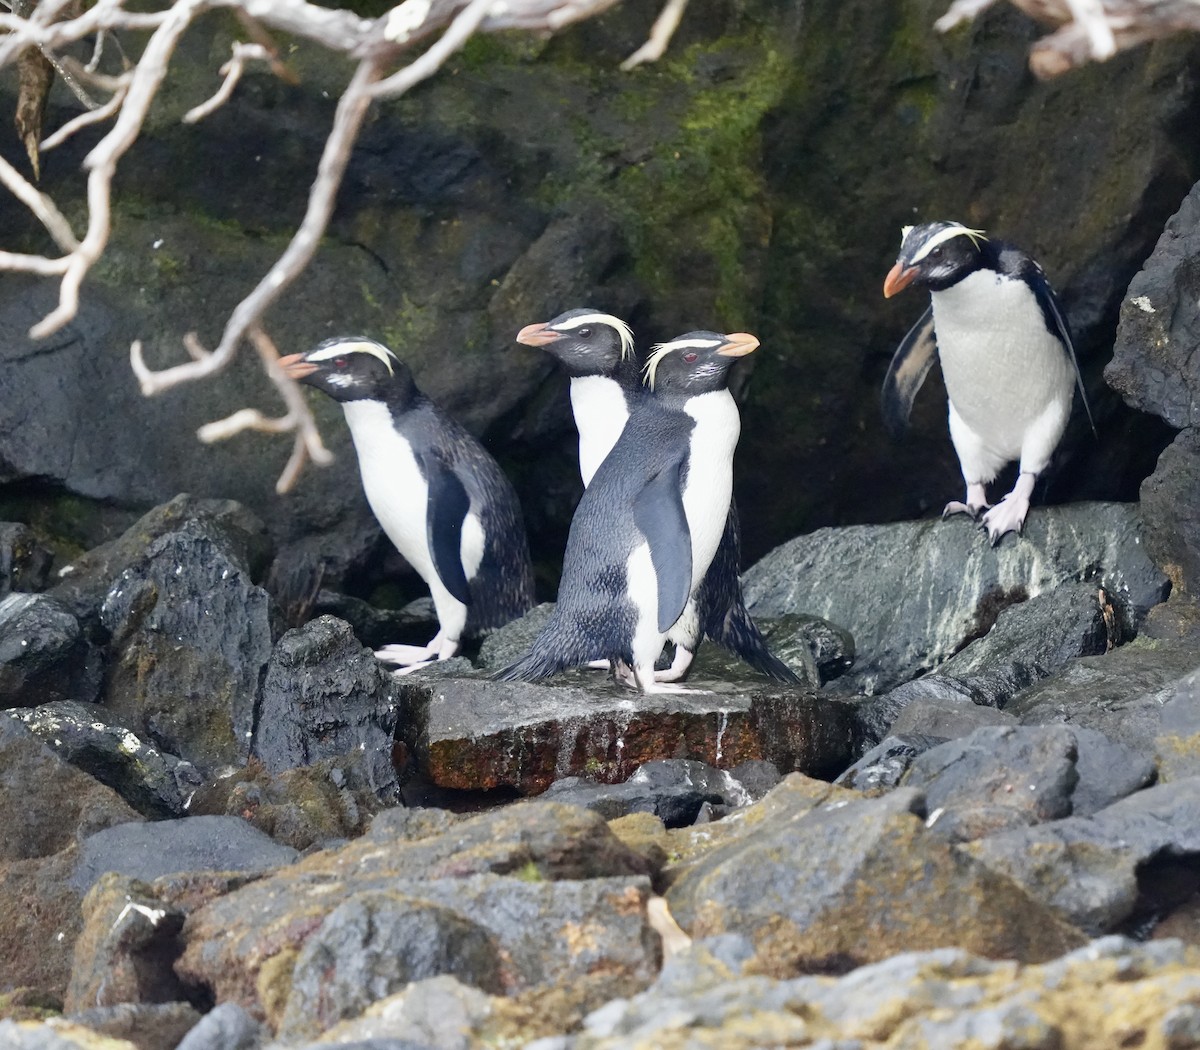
(379, 46)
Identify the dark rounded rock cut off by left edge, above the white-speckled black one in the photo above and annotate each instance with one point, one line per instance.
(44, 655)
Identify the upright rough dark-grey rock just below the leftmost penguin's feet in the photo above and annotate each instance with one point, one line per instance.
(326, 695)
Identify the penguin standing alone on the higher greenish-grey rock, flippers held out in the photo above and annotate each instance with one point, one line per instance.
(1011, 371)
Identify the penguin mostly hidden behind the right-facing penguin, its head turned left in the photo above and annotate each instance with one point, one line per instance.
(597, 351)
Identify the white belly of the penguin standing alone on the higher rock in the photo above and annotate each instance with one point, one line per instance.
(1003, 367)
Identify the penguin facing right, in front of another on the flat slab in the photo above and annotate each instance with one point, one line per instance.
(647, 527)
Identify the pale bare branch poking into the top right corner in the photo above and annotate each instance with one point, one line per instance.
(1088, 31)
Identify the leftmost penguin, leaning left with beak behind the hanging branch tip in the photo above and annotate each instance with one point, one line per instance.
(440, 497)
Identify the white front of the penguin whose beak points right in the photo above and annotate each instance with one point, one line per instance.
(710, 485)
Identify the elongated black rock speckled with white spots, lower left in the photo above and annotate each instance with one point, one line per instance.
(155, 784)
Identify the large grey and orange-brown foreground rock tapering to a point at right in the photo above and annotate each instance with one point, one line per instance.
(835, 880)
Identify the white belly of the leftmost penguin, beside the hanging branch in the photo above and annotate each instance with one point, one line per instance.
(393, 483)
